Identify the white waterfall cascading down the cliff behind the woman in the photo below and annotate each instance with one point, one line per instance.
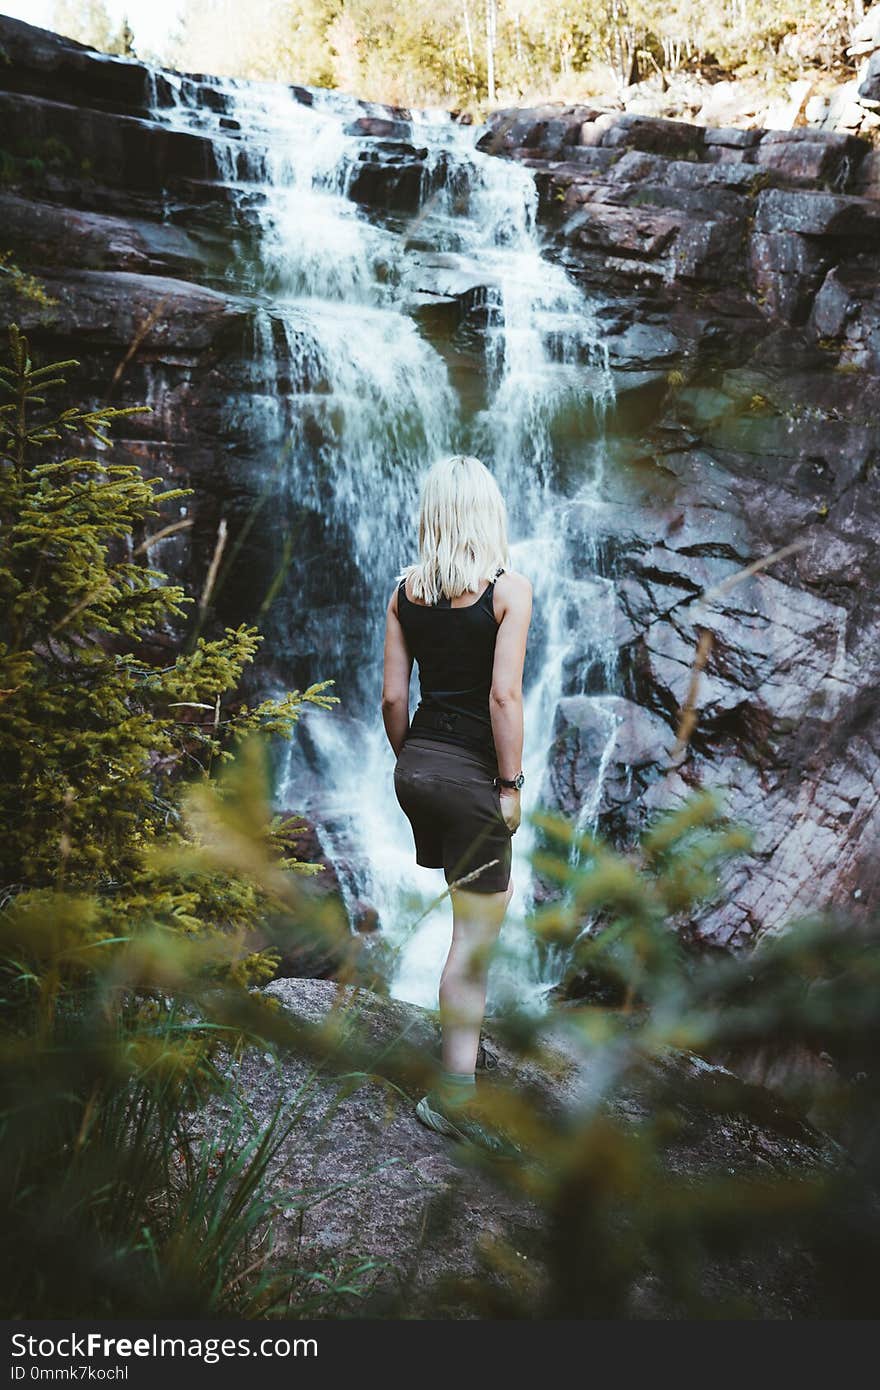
(354, 398)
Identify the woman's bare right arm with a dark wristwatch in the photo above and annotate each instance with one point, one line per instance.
(514, 594)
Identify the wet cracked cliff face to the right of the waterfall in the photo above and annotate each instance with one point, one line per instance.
(742, 269)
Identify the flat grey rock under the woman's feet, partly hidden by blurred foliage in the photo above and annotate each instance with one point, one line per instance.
(407, 1199)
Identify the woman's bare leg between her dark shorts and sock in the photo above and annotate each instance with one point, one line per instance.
(476, 922)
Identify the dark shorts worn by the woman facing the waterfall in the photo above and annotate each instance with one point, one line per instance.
(450, 800)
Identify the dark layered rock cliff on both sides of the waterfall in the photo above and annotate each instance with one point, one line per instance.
(736, 277)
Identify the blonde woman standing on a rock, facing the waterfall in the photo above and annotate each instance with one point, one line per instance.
(464, 616)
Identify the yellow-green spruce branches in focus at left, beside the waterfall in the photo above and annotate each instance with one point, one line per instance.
(92, 733)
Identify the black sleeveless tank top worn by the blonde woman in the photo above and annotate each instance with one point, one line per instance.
(455, 651)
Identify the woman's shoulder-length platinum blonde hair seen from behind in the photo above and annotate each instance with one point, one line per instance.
(462, 530)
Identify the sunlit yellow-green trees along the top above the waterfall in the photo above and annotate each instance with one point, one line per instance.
(468, 54)
